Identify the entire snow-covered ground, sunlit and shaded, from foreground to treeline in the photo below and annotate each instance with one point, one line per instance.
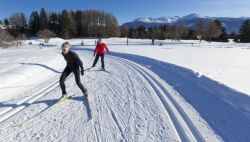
(174, 92)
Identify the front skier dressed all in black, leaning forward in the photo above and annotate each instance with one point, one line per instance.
(73, 65)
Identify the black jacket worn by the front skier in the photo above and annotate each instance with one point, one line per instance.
(73, 60)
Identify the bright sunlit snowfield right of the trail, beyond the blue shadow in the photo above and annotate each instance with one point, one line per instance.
(227, 63)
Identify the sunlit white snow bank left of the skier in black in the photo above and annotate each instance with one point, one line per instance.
(23, 68)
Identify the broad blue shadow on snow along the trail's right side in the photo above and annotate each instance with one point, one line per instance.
(226, 110)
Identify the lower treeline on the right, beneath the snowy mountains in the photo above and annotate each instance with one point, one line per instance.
(210, 31)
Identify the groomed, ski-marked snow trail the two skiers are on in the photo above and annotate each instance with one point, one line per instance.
(119, 110)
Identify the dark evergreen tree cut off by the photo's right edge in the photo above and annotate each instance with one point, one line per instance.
(245, 32)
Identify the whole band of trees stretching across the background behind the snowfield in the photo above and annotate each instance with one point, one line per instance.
(94, 23)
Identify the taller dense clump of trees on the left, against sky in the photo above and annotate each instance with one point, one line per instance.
(66, 24)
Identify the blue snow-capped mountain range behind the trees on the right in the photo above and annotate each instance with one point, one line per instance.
(231, 24)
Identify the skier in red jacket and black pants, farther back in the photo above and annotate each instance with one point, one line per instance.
(99, 51)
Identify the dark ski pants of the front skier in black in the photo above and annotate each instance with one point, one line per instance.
(67, 71)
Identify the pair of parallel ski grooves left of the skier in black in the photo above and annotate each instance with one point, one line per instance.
(20, 105)
